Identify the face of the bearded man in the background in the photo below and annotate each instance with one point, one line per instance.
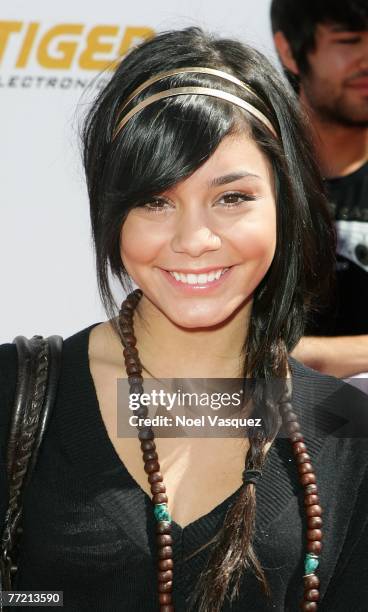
(336, 84)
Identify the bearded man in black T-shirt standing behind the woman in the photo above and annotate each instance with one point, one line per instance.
(323, 47)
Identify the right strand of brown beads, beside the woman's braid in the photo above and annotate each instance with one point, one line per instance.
(312, 506)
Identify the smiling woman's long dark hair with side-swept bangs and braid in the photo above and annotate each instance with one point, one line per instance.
(168, 141)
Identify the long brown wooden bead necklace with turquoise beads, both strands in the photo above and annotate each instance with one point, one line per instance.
(146, 437)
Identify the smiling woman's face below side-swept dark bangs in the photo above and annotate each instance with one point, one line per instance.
(199, 249)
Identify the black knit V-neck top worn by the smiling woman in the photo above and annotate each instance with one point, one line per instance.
(89, 528)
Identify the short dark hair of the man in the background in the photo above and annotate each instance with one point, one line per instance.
(298, 20)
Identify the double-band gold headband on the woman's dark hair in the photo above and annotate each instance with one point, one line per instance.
(179, 91)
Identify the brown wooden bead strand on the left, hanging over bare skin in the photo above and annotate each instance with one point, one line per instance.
(150, 457)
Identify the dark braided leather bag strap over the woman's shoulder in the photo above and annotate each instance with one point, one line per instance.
(39, 362)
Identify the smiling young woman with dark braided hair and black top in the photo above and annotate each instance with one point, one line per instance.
(203, 191)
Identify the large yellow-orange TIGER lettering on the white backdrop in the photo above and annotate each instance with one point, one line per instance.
(67, 44)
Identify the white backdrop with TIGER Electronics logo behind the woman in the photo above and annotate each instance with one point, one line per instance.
(50, 57)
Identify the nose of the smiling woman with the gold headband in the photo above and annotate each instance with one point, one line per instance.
(194, 234)
